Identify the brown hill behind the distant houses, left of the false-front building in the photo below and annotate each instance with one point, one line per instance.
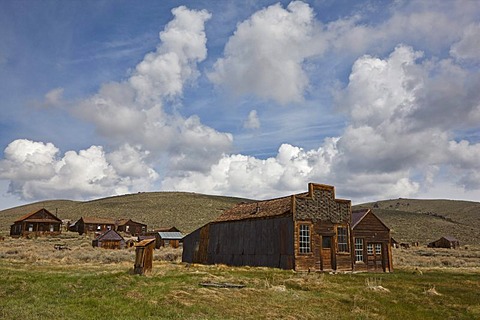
(186, 211)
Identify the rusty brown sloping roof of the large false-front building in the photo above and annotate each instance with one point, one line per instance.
(260, 209)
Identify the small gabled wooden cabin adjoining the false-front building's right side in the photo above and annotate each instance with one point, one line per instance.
(372, 242)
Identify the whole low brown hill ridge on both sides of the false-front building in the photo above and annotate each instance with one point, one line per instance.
(410, 220)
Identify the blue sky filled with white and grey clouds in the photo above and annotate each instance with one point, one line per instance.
(246, 98)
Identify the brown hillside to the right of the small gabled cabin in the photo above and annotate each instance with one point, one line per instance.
(413, 220)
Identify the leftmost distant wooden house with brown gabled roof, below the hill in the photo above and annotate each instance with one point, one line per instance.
(37, 223)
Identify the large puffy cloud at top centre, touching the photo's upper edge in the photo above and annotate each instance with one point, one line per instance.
(265, 55)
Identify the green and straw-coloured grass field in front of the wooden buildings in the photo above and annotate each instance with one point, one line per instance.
(38, 281)
